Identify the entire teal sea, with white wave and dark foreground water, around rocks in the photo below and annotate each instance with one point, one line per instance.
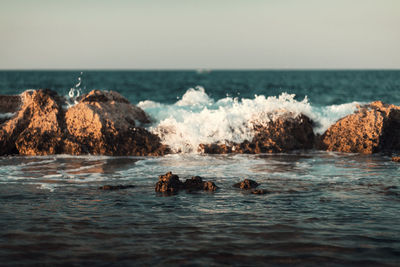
(322, 208)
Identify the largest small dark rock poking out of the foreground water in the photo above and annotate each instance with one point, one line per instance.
(170, 183)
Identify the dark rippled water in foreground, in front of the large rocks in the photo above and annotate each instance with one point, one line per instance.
(322, 208)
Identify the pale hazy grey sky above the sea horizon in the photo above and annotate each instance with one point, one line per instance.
(189, 34)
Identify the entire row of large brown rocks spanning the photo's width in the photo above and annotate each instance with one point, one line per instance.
(105, 123)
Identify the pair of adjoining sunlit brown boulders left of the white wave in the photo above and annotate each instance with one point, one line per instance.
(100, 123)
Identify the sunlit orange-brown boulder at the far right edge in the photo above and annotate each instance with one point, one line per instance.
(372, 128)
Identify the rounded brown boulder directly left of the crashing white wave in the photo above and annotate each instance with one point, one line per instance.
(105, 123)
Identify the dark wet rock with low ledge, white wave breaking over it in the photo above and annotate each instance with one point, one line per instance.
(282, 134)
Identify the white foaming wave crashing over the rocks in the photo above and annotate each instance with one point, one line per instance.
(196, 118)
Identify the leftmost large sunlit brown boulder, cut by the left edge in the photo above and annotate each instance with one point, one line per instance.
(37, 127)
